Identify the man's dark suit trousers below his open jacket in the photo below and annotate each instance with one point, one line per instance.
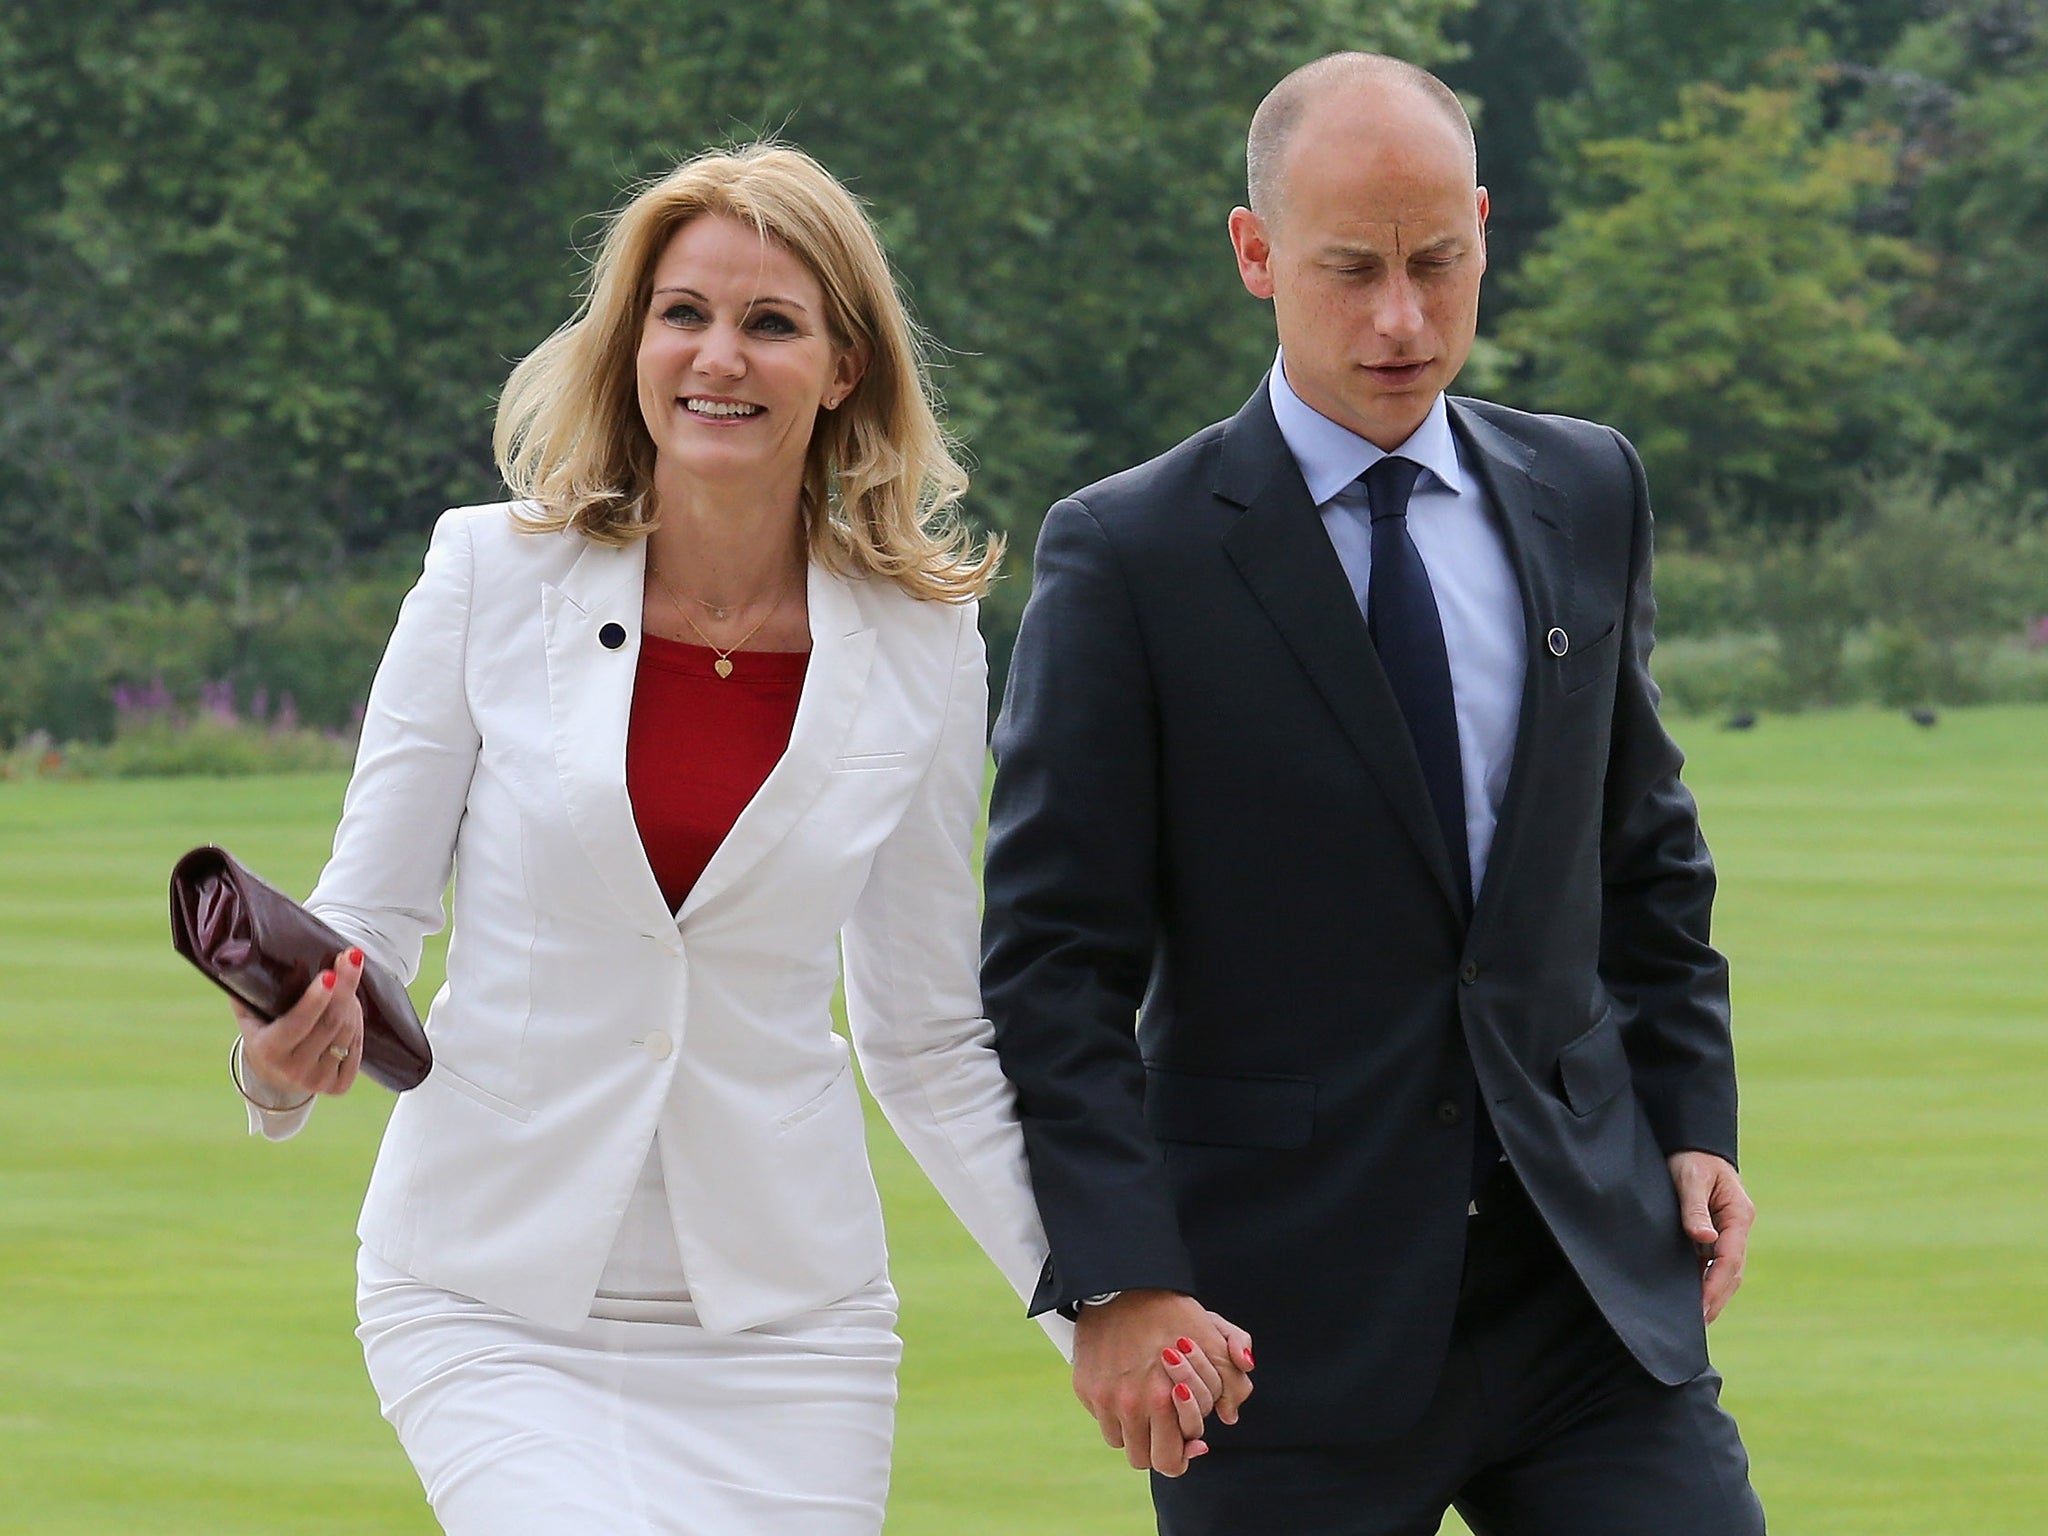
(1541, 1426)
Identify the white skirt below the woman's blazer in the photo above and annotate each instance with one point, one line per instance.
(638, 1422)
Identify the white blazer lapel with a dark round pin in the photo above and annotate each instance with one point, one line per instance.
(591, 699)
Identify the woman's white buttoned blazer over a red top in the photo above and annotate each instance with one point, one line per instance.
(583, 1015)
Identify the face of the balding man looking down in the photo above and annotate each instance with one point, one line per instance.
(1373, 259)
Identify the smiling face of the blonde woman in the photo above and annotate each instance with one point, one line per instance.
(736, 357)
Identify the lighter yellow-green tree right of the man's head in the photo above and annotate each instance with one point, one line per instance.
(1727, 312)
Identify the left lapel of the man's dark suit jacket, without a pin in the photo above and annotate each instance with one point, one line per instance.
(1285, 556)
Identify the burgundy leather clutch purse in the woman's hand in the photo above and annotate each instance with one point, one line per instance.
(259, 945)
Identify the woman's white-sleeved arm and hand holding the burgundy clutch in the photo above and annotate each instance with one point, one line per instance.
(394, 847)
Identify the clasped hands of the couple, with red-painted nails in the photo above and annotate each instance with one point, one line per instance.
(1150, 1367)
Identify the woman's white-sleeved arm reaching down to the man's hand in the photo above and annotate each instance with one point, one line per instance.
(914, 1000)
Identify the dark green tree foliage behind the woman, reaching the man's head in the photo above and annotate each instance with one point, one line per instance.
(265, 269)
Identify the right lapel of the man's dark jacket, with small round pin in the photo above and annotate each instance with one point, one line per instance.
(1537, 529)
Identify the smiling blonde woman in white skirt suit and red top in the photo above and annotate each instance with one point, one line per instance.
(708, 699)
